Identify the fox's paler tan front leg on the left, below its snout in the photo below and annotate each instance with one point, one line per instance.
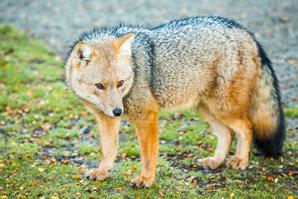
(109, 129)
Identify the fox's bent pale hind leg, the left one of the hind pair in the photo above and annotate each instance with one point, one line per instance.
(224, 137)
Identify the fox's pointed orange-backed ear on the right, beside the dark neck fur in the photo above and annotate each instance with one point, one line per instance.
(122, 45)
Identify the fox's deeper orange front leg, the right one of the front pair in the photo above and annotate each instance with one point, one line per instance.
(147, 132)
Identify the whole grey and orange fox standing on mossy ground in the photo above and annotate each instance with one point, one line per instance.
(211, 64)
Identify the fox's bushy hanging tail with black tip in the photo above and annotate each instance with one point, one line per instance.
(266, 112)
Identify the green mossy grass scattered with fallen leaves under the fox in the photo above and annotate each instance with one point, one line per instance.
(48, 140)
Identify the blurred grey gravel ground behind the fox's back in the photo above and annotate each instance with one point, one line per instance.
(59, 22)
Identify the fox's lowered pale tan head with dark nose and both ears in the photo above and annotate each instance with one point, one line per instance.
(101, 72)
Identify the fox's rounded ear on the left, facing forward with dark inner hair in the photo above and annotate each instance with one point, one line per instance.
(83, 53)
